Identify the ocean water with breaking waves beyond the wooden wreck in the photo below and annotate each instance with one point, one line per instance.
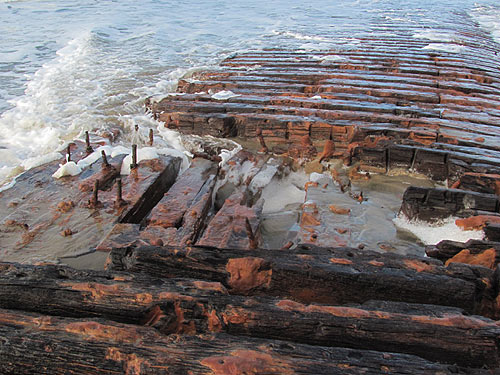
(67, 66)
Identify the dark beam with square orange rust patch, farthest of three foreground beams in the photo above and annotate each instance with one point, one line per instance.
(332, 276)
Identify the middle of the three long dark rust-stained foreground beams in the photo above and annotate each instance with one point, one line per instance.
(193, 307)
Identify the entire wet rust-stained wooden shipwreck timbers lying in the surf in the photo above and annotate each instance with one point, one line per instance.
(189, 287)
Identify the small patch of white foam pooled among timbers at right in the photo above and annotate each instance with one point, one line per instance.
(431, 234)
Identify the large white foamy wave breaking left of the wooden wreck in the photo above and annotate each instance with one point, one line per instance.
(50, 111)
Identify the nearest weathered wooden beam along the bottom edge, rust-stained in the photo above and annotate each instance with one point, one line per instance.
(38, 343)
